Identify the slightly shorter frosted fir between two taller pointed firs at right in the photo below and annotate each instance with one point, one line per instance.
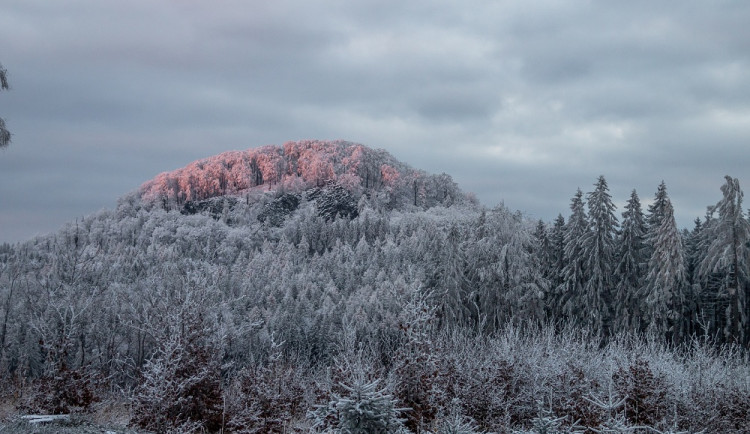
(630, 271)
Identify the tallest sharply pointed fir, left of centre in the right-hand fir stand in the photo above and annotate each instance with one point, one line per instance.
(599, 248)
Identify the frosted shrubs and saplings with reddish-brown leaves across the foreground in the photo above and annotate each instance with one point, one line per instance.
(523, 378)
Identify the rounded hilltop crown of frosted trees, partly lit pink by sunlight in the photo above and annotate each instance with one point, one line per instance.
(332, 167)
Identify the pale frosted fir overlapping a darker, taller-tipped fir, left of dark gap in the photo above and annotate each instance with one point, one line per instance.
(666, 279)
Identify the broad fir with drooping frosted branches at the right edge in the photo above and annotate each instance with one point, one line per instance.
(728, 253)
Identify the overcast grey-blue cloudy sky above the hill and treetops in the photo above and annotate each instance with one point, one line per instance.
(521, 102)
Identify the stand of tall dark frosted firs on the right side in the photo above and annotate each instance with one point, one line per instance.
(643, 274)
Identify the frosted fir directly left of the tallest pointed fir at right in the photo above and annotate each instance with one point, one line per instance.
(574, 275)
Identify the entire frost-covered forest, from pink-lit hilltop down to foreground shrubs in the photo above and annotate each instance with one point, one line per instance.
(326, 287)
